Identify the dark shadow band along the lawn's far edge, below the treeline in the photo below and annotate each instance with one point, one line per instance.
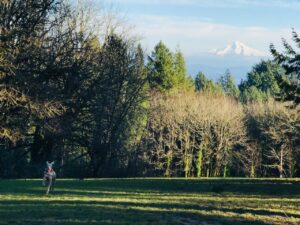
(274, 188)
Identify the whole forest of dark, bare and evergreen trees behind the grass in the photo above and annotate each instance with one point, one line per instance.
(82, 92)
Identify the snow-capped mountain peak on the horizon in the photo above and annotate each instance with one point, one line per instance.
(238, 48)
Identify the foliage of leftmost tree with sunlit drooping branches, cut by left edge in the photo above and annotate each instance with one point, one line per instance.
(27, 78)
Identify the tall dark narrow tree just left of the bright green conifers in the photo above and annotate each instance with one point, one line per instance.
(117, 103)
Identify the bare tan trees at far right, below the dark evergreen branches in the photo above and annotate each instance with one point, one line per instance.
(274, 128)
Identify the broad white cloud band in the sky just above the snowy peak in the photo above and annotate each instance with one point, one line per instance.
(196, 36)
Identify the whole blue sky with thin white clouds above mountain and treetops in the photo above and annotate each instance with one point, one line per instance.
(197, 26)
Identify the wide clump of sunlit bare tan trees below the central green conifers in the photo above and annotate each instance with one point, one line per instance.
(182, 126)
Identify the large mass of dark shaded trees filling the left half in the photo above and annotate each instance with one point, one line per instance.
(63, 95)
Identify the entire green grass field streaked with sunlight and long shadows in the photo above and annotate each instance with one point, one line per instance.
(151, 201)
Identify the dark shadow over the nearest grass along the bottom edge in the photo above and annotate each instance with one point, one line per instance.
(77, 212)
